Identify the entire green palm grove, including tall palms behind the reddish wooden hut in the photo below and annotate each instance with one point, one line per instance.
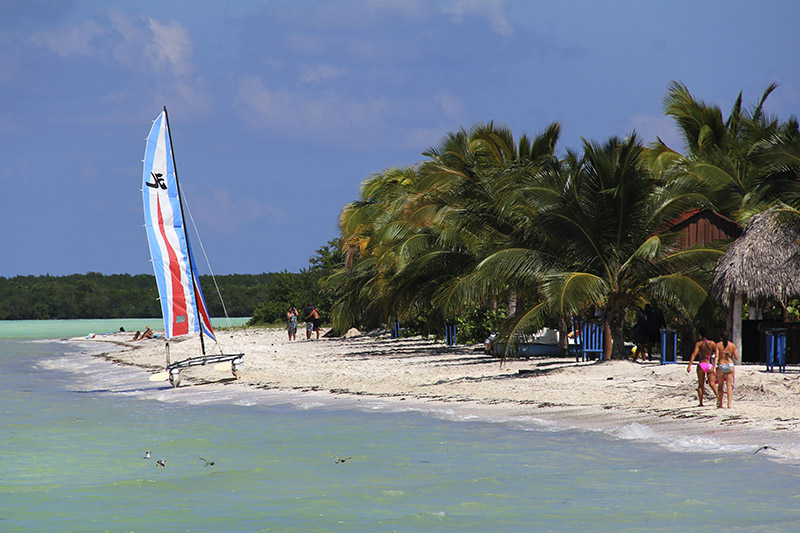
(508, 234)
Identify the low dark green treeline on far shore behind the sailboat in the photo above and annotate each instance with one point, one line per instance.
(262, 296)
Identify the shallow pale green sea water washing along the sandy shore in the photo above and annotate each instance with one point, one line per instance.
(75, 429)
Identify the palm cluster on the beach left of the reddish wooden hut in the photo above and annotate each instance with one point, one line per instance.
(486, 218)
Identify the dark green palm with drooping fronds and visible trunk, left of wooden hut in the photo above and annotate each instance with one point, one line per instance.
(602, 218)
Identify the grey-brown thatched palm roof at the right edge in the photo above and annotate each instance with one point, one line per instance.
(764, 261)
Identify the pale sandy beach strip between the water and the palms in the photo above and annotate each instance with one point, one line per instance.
(609, 396)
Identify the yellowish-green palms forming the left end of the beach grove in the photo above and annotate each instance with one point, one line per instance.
(416, 233)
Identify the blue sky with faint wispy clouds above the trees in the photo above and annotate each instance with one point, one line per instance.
(280, 109)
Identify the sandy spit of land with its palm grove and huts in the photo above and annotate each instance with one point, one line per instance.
(491, 234)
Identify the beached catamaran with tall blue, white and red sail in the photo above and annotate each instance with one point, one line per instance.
(182, 303)
